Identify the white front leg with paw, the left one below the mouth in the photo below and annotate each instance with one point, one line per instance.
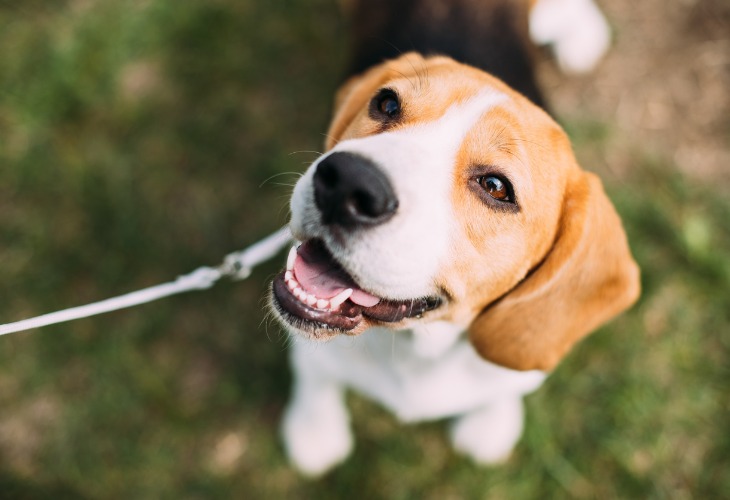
(316, 425)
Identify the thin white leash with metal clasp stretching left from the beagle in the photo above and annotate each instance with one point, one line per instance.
(236, 265)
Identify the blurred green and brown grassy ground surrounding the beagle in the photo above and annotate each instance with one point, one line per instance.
(141, 139)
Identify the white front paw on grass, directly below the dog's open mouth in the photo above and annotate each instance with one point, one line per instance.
(316, 437)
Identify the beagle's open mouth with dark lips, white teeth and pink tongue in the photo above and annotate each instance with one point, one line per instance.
(315, 292)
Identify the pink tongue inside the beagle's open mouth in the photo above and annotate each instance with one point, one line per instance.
(320, 276)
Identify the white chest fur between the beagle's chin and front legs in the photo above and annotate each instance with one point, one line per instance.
(425, 374)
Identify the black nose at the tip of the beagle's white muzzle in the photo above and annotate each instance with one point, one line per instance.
(351, 191)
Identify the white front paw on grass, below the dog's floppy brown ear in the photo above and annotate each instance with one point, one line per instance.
(488, 435)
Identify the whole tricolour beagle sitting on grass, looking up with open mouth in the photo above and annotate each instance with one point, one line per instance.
(450, 249)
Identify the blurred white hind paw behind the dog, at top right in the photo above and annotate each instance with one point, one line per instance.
(576, 29)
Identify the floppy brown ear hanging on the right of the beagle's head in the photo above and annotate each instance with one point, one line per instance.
(588, 277)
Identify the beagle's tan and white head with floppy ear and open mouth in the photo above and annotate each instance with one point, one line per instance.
(445, 195)
